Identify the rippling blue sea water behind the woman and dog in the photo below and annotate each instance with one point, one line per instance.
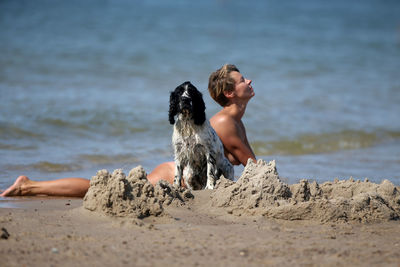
(84, 85)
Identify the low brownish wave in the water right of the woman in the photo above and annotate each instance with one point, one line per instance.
(323, 143)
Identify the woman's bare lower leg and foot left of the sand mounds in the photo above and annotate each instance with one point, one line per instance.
(67, 187)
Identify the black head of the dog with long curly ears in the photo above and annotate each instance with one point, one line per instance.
(187, 100)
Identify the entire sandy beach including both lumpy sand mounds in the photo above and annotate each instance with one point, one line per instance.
(111, 227)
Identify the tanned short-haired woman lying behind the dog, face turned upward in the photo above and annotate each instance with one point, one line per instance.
(227, 87)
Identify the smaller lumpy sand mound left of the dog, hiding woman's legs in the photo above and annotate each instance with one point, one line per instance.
(119, 195)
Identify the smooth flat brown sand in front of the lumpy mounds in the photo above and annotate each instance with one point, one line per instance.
(60, 232)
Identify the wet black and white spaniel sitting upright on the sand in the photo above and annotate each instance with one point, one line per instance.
(199, 154)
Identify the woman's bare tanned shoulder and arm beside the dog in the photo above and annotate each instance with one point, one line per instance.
(234, 139)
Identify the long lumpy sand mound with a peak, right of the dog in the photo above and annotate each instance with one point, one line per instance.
(259, 191)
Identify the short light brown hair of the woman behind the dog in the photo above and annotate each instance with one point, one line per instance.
(220, 81)
